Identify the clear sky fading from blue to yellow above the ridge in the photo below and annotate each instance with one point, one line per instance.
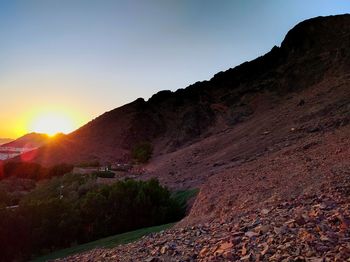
(80, 58)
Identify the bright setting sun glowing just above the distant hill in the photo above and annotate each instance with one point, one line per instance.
(52, 123)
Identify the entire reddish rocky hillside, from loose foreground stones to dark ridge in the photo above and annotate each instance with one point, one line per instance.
(267, 142)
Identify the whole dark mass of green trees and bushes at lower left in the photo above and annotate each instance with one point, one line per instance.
(73, 209)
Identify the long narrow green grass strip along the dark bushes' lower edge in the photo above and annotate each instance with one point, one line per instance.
(107, 242)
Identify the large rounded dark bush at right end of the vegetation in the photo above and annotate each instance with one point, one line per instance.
(127, 205)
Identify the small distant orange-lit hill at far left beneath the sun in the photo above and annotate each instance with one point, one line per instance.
(31, 140)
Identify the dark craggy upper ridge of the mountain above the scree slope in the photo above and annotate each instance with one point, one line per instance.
(311, 53)
